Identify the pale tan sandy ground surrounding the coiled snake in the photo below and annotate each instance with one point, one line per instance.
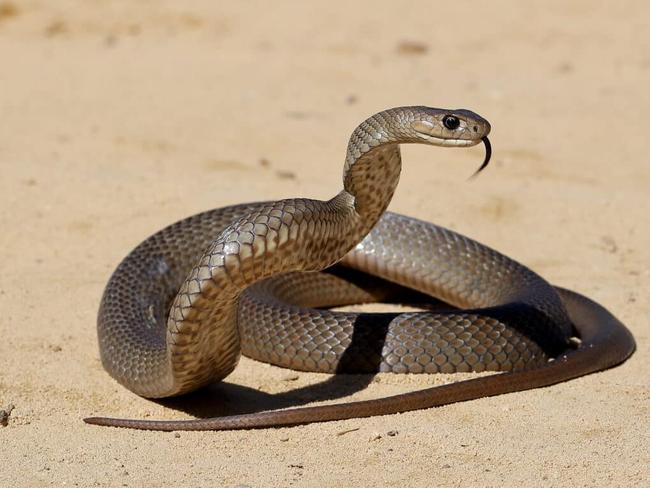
(118, 118)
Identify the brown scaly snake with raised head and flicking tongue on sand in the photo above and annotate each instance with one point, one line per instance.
(262, 279)
